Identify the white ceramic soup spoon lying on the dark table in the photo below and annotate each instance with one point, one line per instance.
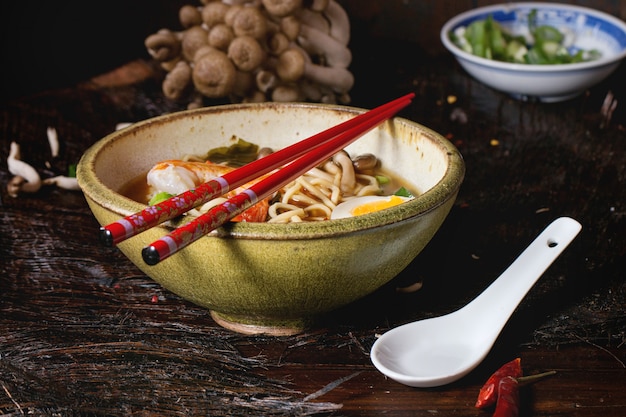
(441, 350)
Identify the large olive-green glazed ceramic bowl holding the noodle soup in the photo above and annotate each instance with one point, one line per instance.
(277, 278)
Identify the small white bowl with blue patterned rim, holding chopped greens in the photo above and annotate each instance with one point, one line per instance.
(592, 29)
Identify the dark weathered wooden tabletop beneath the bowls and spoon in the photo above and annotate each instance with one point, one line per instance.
(85, 333)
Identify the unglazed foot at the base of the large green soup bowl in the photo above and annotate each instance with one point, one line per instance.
(258, 326)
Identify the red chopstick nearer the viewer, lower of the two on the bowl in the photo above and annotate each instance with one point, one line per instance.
(220, 214)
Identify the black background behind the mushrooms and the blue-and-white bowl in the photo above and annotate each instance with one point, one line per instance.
(51, 44)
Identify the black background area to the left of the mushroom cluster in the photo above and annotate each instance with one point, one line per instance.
(52, 44)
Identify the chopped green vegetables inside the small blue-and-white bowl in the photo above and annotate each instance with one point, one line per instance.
(488, 39)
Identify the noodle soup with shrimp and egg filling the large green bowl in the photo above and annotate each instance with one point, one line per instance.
(310, 197)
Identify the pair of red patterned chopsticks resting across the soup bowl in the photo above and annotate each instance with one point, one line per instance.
(293, 161)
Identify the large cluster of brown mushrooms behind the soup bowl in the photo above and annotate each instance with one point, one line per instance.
(256, 50)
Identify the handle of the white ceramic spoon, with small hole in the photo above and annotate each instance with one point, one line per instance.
(495, 305)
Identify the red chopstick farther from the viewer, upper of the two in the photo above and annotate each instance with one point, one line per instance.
(173, 207)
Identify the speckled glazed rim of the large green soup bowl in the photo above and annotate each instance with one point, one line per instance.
(428, 200)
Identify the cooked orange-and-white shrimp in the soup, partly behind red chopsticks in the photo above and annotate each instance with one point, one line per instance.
(175, 176)
